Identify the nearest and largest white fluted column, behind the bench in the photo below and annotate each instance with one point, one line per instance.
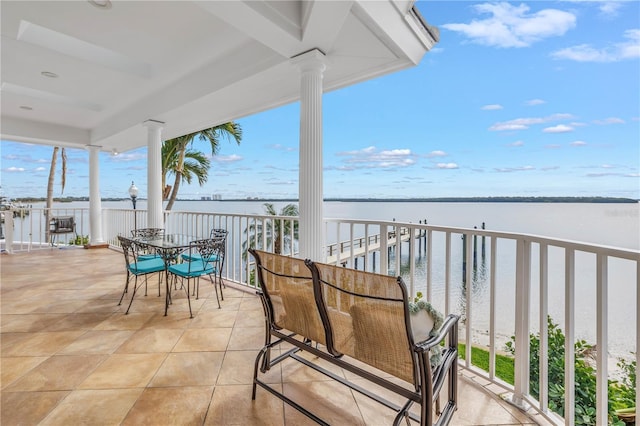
(311, 243)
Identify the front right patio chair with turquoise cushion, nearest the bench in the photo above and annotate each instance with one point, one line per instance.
(203, 254)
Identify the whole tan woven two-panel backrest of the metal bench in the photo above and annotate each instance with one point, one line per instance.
(355, 313)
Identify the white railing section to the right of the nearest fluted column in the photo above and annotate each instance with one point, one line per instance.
(517, 281)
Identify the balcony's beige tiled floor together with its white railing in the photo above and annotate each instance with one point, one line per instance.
(62, 302)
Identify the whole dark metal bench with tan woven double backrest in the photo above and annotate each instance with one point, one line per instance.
(360, 322)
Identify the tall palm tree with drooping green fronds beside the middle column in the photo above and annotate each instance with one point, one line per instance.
(177, 153)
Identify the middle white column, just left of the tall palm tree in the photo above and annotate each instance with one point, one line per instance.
(155, 216)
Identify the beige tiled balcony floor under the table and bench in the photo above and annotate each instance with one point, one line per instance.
(71, 357)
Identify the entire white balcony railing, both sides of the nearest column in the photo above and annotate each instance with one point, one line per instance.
(502, 284)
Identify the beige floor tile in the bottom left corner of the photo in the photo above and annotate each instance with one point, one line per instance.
(28, 408)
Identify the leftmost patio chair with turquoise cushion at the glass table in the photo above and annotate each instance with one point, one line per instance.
(137, 267)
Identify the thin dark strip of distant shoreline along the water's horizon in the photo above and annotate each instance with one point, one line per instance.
(616, 200)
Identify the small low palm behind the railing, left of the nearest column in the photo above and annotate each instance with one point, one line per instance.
(276, 231)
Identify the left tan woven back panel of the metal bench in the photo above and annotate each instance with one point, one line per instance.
(287, 291)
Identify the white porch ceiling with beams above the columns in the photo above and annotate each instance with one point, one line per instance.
(189, 64)
